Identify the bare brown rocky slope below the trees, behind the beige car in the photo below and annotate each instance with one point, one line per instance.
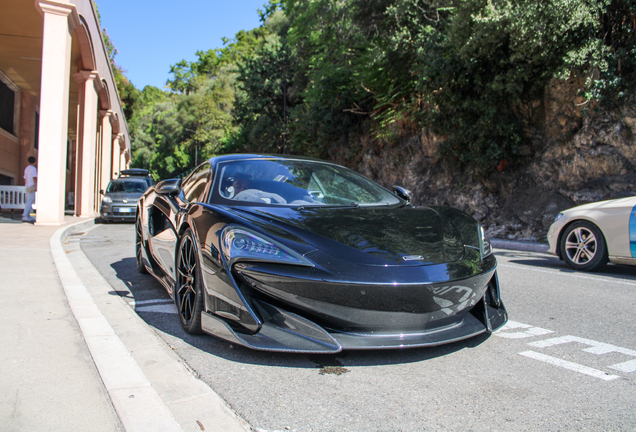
(574, 158)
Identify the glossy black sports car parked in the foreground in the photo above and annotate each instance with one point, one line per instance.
(300, 255)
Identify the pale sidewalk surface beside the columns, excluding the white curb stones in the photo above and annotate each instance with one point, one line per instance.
(48, 381)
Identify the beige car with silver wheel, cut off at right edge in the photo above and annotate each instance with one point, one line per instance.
(589, 236)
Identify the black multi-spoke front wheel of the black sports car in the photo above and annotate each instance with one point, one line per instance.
(188, 292)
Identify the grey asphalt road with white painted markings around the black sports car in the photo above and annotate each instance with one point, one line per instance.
(566, 361)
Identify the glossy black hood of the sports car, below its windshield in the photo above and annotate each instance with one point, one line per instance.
(374, 236)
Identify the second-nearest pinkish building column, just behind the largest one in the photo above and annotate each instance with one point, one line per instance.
(86, 137)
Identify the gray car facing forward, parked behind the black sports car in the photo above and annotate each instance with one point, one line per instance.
(119, 202)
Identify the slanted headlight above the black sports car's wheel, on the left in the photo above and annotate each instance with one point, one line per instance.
(245, 245)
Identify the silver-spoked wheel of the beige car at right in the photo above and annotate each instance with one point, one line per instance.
(583, 246)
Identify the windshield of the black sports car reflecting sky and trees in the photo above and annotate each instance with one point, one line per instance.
(297, 183)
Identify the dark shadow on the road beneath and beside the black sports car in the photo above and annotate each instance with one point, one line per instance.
(141, 287)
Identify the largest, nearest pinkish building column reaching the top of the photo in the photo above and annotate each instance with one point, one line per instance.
(59, 20)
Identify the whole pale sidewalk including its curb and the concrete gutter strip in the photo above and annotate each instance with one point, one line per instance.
(75, 357)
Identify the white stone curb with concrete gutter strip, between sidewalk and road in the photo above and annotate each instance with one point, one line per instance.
(149, 385)
